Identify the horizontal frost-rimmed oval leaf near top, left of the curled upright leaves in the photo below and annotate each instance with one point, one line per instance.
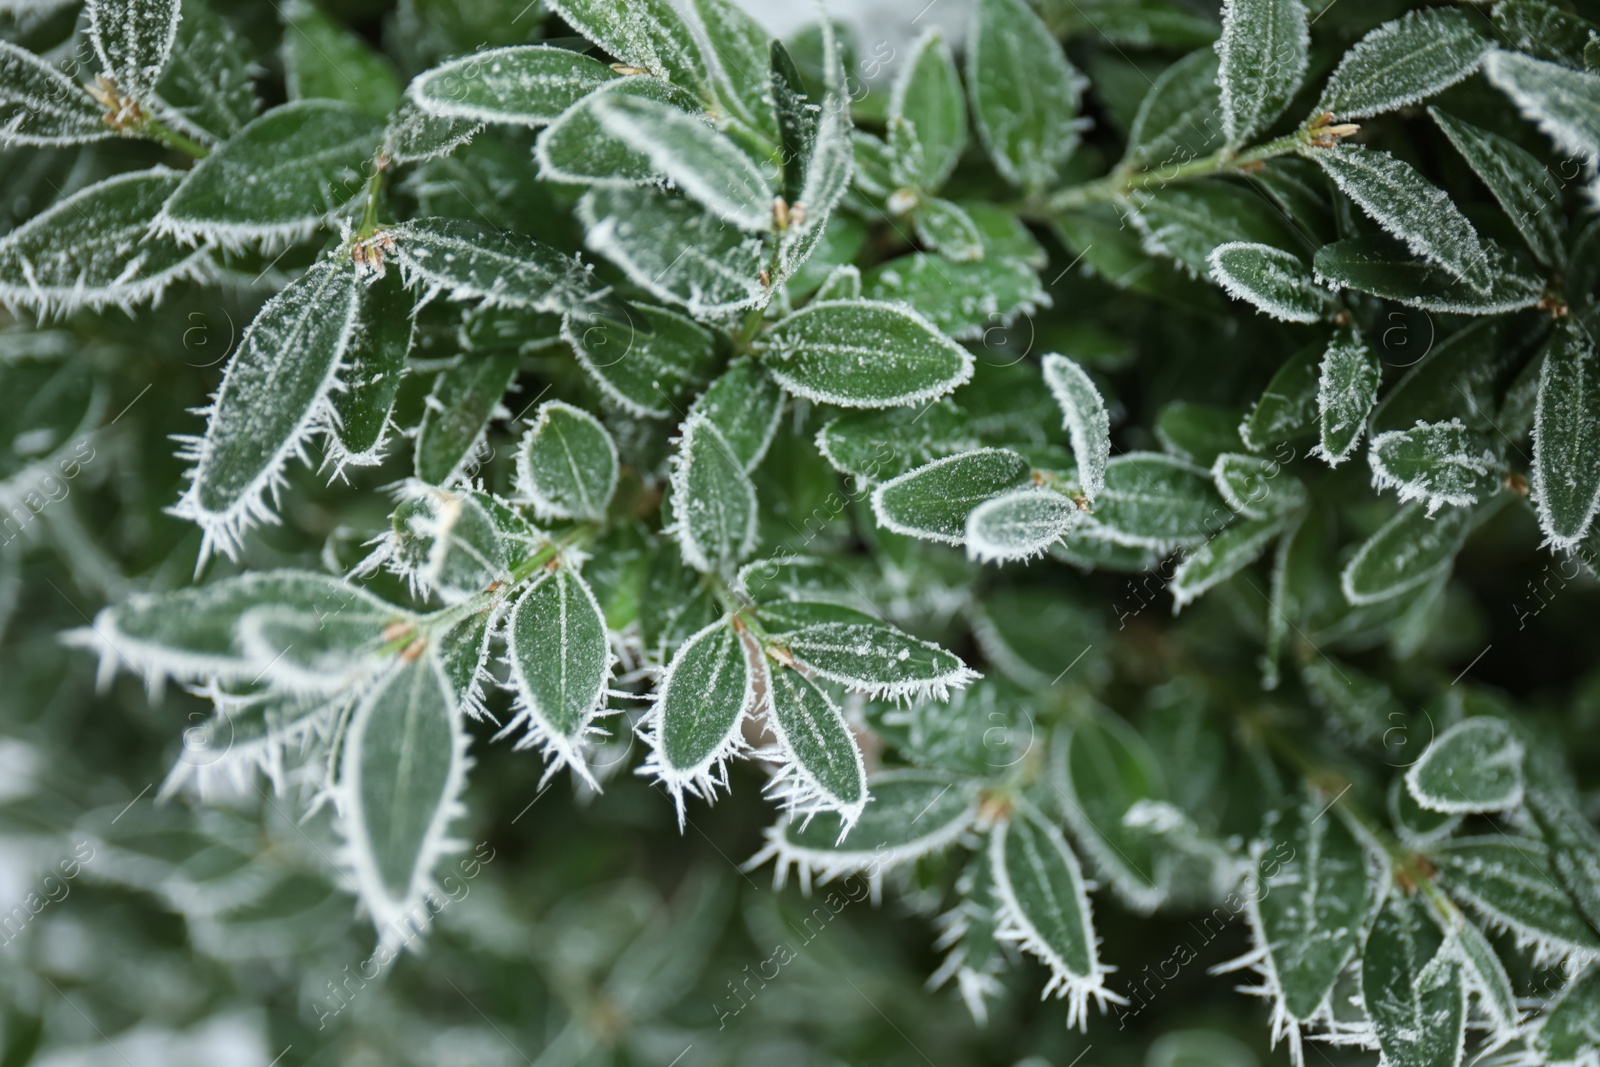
(527, 86)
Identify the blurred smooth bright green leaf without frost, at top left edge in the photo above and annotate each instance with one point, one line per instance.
(324, 60)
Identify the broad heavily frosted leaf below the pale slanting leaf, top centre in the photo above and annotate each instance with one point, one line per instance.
(676, 250)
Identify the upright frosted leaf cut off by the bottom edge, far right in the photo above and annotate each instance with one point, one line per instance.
(1412, 989)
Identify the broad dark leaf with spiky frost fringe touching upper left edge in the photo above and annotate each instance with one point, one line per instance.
(95, 249)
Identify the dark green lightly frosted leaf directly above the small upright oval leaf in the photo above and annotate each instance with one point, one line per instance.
(647, 367)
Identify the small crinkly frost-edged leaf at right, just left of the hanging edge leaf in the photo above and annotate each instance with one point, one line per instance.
(1436, 463)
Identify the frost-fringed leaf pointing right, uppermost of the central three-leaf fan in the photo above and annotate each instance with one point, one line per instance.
(866, 655)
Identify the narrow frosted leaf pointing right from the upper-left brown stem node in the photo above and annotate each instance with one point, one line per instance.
(471, 262)
